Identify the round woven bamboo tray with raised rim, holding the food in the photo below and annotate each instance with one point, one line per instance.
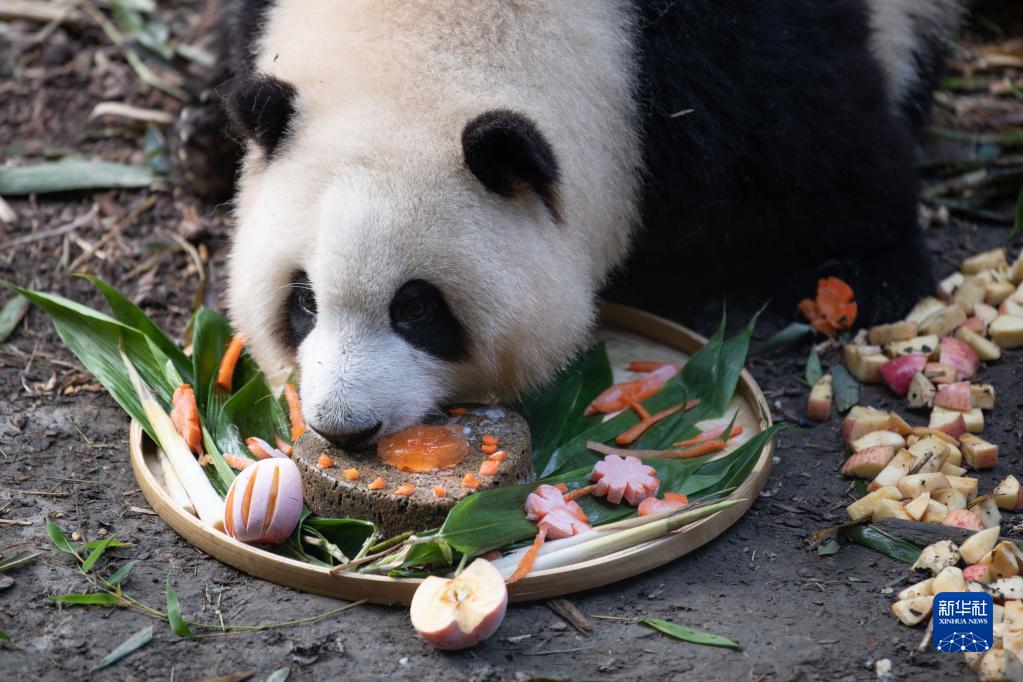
(631, 335)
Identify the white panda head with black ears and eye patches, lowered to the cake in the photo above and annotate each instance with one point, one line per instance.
(398, 264)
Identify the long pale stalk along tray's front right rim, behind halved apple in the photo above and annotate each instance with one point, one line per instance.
(609, 539)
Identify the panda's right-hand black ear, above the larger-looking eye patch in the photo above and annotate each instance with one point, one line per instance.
(508, 154)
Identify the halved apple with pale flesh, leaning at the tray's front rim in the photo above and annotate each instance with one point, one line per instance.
(482, 580)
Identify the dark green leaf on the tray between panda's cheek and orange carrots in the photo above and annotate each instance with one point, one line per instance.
(555, 414)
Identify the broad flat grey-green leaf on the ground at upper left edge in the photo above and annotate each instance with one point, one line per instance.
(73, 174)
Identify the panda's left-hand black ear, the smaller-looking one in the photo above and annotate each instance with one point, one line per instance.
(261, 109)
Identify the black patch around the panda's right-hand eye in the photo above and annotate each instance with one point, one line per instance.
(422, 316)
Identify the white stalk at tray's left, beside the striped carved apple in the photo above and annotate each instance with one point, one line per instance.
(207, 504)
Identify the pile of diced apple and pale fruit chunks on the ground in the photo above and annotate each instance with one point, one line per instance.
(932, 359)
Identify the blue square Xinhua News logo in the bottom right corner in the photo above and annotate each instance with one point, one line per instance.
(963, 622)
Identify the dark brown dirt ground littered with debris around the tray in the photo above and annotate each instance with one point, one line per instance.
(64, 454)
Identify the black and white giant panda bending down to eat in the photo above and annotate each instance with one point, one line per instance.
(434, 193)
